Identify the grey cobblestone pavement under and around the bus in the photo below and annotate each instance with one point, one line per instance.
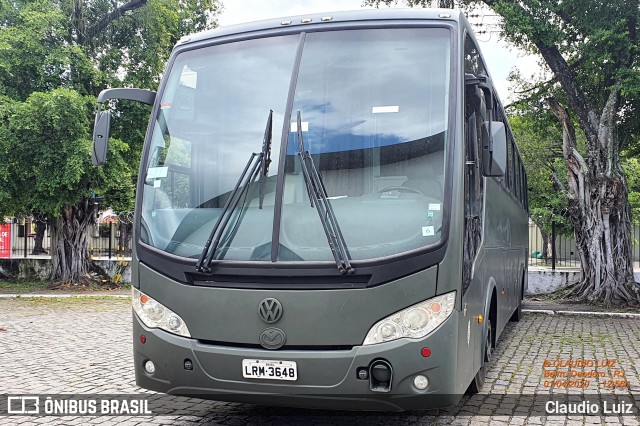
(83, 346)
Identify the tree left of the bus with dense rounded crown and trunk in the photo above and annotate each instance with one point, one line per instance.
(57, 178)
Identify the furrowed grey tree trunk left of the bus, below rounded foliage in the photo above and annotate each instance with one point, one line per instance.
(69, 243)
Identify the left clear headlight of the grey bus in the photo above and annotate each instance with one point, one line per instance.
(155, 315)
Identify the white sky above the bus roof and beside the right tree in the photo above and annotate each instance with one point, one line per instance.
(499, 57)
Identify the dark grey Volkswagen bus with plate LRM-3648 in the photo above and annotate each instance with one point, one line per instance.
(331, 212)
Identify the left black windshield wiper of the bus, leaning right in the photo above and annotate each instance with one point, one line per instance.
(258, 165)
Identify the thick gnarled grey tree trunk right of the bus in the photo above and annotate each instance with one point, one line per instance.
(599, 212)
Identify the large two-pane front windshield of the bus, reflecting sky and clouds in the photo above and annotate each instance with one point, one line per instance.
(374, 106)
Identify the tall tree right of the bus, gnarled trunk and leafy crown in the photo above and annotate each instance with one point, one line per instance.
(592, 50)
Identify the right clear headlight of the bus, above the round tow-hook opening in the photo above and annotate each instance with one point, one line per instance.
(413, 322)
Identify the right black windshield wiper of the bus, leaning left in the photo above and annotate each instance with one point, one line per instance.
(317, 192)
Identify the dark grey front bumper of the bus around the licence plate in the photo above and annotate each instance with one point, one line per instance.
(326, 379)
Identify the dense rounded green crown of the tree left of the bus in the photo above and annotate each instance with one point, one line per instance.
(53, 170)
